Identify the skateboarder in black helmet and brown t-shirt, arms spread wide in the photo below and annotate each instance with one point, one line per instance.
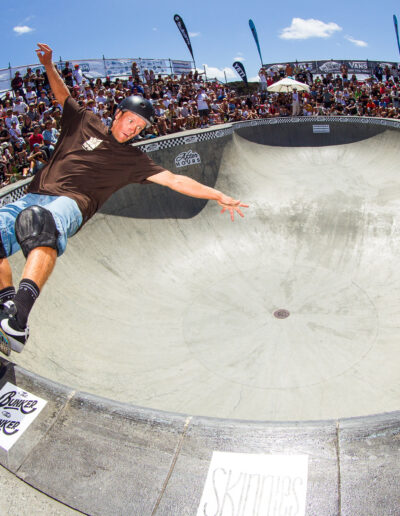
(90, 162)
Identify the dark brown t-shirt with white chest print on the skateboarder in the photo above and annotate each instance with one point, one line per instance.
(88, 164)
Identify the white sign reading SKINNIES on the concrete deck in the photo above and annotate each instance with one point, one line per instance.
(241, 484)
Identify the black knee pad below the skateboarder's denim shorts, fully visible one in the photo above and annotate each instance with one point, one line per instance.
(35, 227)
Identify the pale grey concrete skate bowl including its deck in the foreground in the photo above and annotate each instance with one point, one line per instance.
(161, 302)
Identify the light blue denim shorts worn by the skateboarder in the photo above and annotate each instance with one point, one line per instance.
(65, 211)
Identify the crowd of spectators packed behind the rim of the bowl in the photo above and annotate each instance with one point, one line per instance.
(30, 117)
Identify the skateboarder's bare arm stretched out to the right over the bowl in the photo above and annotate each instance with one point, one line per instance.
(188, 186)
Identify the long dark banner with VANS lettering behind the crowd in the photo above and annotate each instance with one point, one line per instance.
(333, 66)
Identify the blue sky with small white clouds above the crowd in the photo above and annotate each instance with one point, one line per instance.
(219, 31)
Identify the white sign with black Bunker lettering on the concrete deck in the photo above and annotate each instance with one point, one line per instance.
(18, 409)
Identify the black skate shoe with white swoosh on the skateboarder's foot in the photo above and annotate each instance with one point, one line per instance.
(12, 337)
